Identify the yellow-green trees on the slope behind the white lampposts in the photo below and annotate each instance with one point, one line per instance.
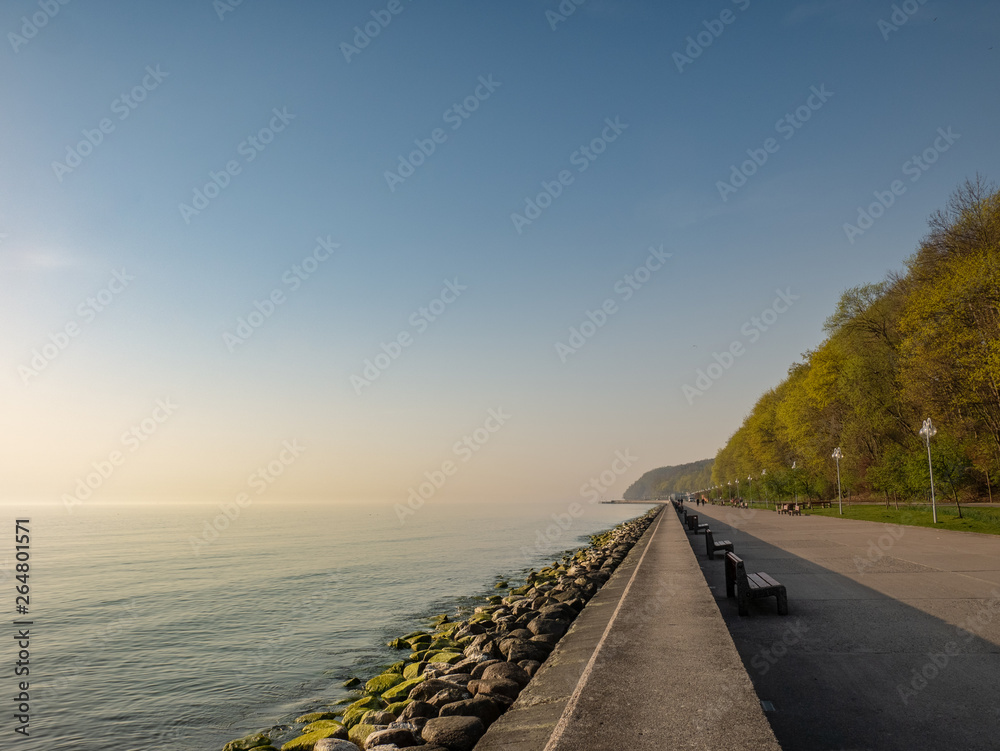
(924, 342)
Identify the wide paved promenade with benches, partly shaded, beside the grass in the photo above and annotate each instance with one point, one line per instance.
(892, 636)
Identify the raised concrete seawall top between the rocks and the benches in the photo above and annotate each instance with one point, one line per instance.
(648, 664)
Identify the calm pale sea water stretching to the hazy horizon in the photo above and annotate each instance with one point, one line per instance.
(141, 641)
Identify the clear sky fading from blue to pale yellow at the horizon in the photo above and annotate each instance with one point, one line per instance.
(353, 251)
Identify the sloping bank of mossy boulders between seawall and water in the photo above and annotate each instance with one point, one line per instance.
(461, 675)
